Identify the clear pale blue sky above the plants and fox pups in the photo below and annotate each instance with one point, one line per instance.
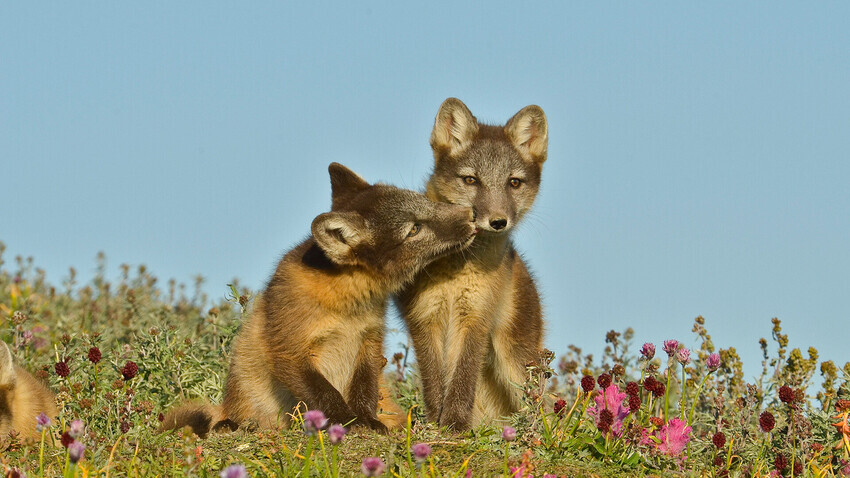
(698, 159)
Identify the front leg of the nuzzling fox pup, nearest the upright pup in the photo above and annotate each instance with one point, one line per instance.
(363, 392)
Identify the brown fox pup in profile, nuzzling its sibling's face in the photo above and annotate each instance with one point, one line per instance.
(316, 333)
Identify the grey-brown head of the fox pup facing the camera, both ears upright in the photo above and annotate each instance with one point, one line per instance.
(493, 169)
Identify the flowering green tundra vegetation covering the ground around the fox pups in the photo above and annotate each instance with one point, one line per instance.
(119, 354)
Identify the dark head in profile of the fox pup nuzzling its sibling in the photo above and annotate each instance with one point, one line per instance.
(393, 232)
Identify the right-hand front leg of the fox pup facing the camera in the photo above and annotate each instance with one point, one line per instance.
(466, 357)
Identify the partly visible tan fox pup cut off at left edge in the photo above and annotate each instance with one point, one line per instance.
(22, 398)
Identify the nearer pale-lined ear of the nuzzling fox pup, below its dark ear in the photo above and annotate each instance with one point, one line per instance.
(339, 234)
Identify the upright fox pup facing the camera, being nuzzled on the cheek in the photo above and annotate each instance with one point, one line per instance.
(474, 316)
